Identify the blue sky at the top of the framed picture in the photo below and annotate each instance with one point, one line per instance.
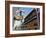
(26, 10)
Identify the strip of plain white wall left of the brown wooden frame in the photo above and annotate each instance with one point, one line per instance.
(2, 18)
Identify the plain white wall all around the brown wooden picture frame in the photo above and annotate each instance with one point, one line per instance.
(2, 19)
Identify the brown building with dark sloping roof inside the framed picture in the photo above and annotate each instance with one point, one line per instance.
(31, 21)
